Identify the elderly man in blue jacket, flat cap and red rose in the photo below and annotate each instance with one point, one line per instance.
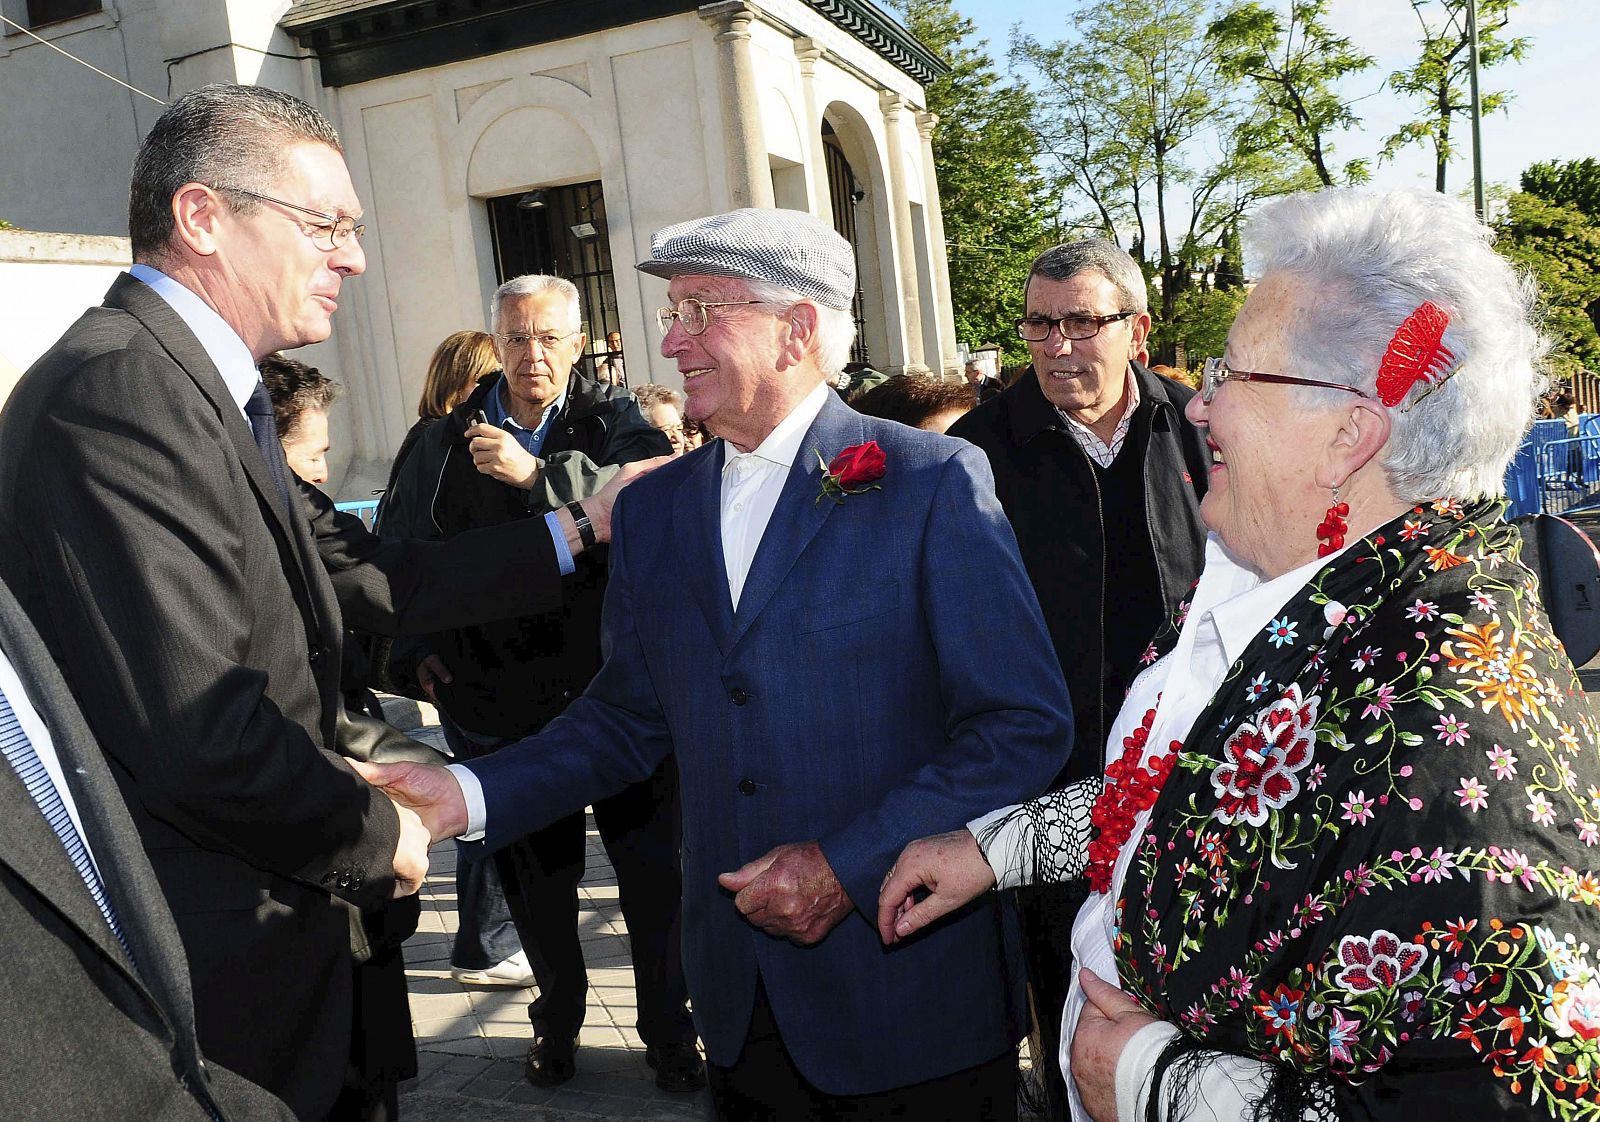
(833, 681)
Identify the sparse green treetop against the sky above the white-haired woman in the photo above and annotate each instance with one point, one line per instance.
(1294, 60)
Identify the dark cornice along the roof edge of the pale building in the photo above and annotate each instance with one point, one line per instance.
(359, 41)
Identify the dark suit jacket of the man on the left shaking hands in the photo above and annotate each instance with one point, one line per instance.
(199, 623)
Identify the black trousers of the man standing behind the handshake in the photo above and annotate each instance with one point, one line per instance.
(540, 873)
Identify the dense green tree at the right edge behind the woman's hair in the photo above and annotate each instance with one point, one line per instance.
(1553, 230)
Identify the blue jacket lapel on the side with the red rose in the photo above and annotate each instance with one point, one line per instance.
(798, 516)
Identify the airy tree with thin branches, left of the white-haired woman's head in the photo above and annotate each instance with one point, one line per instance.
(1140, 122)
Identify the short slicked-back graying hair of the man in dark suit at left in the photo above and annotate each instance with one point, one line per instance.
(218, 135)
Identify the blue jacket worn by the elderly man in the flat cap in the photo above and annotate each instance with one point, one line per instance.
(887, 676)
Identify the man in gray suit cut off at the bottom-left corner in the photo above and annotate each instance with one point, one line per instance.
(98, 1019)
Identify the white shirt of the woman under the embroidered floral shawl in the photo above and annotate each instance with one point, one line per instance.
(1230, 607)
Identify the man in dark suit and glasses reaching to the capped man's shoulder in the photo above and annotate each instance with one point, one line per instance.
(196, 596)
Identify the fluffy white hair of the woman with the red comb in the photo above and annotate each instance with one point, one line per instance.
(1372, 258)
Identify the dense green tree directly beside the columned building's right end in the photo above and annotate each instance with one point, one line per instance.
(985, 154)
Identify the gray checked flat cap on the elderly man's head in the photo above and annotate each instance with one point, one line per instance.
(783, 247)
